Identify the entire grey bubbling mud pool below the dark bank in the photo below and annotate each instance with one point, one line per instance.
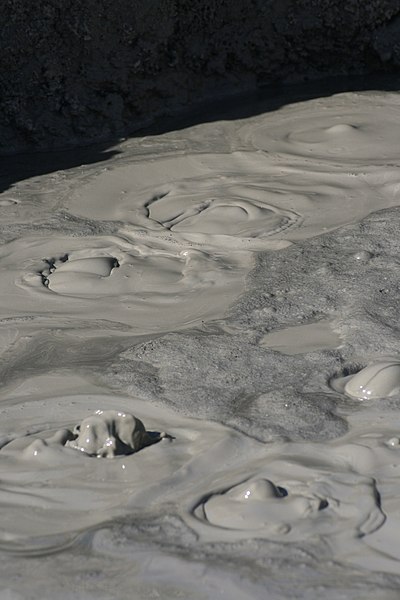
(128, 288)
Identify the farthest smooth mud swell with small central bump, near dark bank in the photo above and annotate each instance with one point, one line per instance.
(342, 131)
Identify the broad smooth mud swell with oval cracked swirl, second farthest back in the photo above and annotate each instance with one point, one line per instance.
(256, 203)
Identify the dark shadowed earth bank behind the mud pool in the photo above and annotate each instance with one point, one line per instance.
(94, 70)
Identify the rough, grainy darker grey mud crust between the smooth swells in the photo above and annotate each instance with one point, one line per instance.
(350, 275)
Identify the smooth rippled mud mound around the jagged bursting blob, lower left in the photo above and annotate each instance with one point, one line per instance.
(53, 480)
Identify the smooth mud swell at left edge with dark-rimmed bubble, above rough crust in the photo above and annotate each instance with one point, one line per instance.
(147, 287)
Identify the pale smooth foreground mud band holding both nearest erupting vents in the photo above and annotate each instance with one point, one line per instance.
(285, 492)
